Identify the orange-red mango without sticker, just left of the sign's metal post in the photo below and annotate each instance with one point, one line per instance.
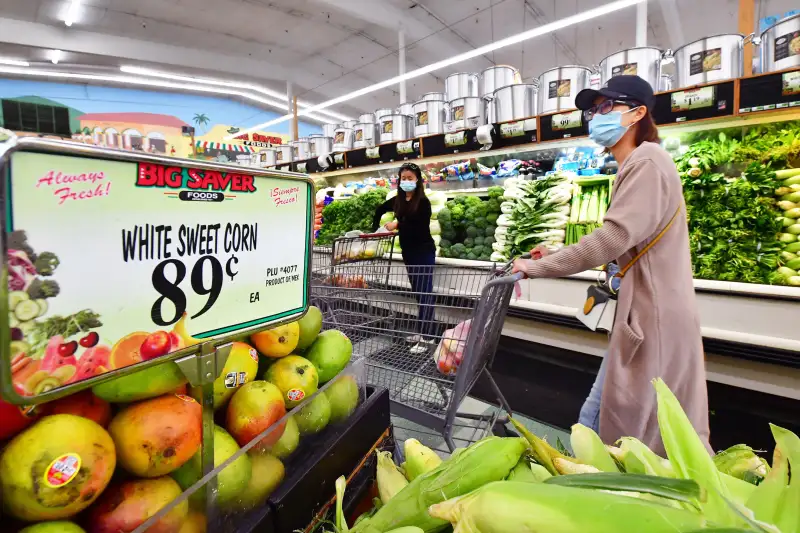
(157, 436)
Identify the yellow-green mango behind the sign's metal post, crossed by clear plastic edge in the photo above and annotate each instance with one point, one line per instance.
(231, 481)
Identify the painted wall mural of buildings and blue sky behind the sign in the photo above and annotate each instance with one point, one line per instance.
(143, 120)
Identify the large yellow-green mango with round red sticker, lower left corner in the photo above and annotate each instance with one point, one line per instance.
(56, 468)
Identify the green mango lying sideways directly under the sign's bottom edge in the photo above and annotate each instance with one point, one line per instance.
(141, 385)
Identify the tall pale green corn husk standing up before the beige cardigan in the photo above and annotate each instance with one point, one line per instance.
(689, 457)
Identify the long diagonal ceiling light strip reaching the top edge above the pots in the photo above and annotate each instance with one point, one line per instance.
(502, 43)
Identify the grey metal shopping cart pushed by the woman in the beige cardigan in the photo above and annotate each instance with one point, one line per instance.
(396, 325)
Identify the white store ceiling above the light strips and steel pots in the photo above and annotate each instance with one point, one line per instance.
(331, 47)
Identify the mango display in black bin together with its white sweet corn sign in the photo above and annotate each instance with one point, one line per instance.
(121, 382)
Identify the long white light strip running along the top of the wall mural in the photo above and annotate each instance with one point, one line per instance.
(130, 80)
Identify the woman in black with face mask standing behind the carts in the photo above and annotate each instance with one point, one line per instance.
(412, 211)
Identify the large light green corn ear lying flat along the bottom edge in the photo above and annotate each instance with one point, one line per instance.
(508, 507)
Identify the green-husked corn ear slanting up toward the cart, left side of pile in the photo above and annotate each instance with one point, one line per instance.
(490, 459)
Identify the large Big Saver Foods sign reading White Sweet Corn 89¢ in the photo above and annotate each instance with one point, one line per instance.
(120, 261)
